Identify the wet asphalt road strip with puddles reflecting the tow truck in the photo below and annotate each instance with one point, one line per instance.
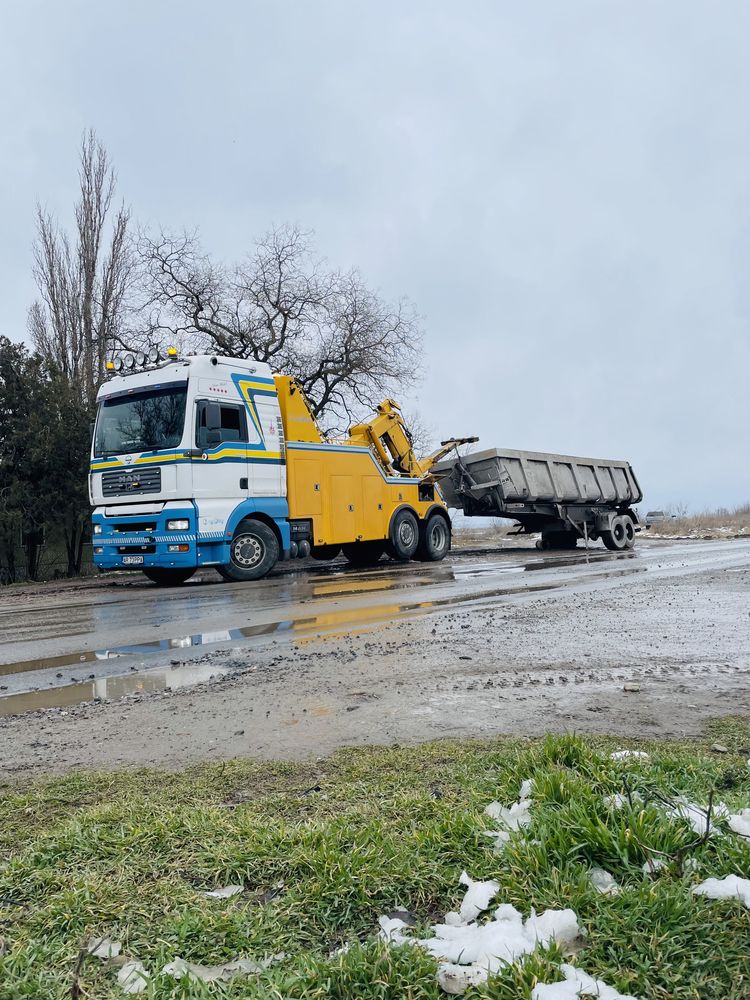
(62, 645)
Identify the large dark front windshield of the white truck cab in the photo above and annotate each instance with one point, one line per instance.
(141, 421)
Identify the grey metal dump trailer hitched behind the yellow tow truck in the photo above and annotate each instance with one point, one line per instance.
(562, 497)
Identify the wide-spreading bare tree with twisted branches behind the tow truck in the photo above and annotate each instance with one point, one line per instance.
(345, 344)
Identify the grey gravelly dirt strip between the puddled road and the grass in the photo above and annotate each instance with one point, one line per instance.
(653, 647)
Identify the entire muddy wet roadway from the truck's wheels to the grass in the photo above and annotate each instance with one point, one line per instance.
(116, 672)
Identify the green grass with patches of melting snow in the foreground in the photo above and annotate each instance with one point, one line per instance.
(127, 855)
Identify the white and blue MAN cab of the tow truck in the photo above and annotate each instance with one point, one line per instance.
(181, 454)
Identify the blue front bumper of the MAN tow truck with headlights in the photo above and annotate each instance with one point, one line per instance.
(135, 541)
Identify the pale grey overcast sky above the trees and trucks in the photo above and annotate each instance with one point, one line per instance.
(562, 188)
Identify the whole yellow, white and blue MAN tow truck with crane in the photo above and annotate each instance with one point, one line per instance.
(214, 461)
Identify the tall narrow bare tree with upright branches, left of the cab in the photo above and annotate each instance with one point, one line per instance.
(83, 280)
